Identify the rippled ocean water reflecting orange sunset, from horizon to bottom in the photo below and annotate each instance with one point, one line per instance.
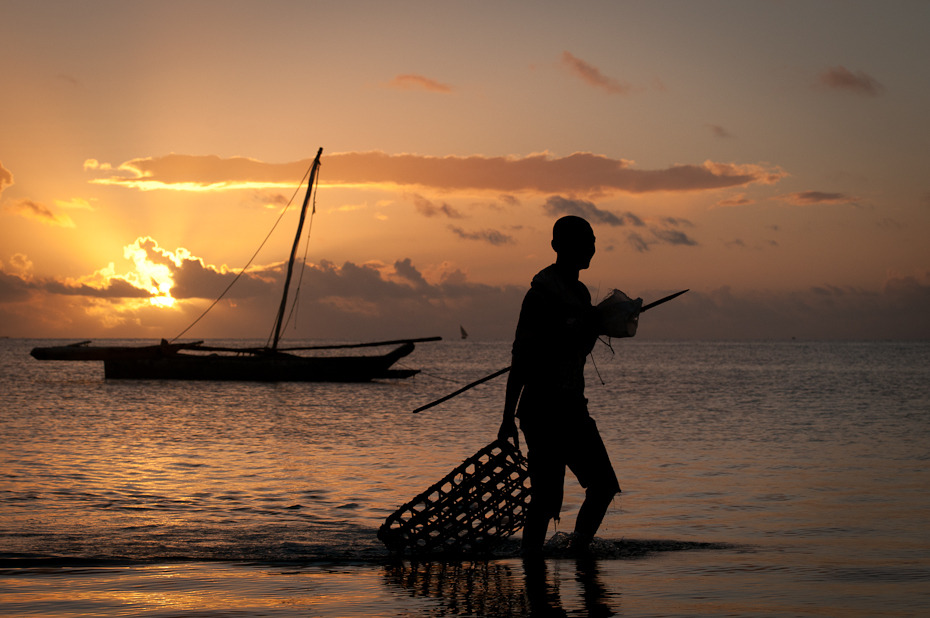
(759, 479)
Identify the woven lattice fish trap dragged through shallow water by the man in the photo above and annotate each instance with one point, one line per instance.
(472, 509)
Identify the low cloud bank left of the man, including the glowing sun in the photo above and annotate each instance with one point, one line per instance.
(351, 301)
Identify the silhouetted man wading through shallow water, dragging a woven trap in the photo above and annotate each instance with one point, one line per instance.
(556, 331)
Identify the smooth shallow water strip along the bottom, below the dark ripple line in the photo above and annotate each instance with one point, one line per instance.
(682, 584)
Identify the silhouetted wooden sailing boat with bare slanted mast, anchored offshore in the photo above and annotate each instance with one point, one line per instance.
(196, 361)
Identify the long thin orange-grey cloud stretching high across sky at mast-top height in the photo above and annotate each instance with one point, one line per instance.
(578, 173)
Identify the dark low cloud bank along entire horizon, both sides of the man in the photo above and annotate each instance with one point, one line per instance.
(358, 302)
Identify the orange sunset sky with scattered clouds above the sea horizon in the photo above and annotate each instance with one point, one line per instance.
(770, 156)
